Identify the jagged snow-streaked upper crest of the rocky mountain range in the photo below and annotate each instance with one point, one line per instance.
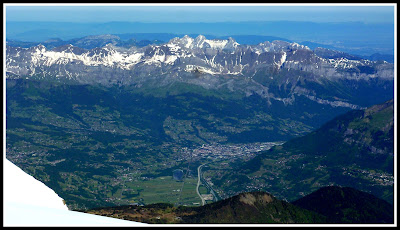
(210, 56)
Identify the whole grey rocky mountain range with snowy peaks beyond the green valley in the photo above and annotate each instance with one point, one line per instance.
(212, 64)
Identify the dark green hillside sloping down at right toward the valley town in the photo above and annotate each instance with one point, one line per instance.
(354, 149)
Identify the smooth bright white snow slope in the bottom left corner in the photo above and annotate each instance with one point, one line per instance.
(29, 202)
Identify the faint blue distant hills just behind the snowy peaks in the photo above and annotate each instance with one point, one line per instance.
(143, 39)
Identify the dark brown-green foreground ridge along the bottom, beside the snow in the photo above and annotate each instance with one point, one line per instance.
(327, 205)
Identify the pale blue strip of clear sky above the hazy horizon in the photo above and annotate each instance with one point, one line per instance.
(367, 13)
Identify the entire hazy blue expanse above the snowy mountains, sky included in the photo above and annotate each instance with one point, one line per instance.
(365, 28)
